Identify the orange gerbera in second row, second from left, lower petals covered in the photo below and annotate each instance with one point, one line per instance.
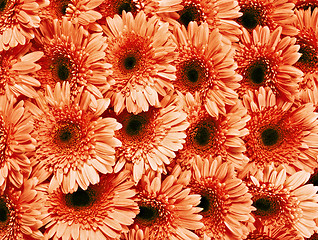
(71, 54)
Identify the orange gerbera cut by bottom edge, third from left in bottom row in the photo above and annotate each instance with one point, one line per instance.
(166, 209)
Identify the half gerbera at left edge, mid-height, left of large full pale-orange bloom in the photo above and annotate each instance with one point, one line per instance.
(16, 142)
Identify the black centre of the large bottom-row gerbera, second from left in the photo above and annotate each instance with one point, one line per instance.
(80, 198)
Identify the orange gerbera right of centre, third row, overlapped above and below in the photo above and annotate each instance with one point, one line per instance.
(211, 133)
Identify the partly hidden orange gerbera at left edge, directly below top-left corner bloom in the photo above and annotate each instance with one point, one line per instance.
(17, 67)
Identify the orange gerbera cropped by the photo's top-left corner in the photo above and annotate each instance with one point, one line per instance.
(18, 20)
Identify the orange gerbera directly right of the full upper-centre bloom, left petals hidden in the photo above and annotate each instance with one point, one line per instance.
(205, 64)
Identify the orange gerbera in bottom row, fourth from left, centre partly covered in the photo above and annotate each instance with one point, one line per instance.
(224, 199)
